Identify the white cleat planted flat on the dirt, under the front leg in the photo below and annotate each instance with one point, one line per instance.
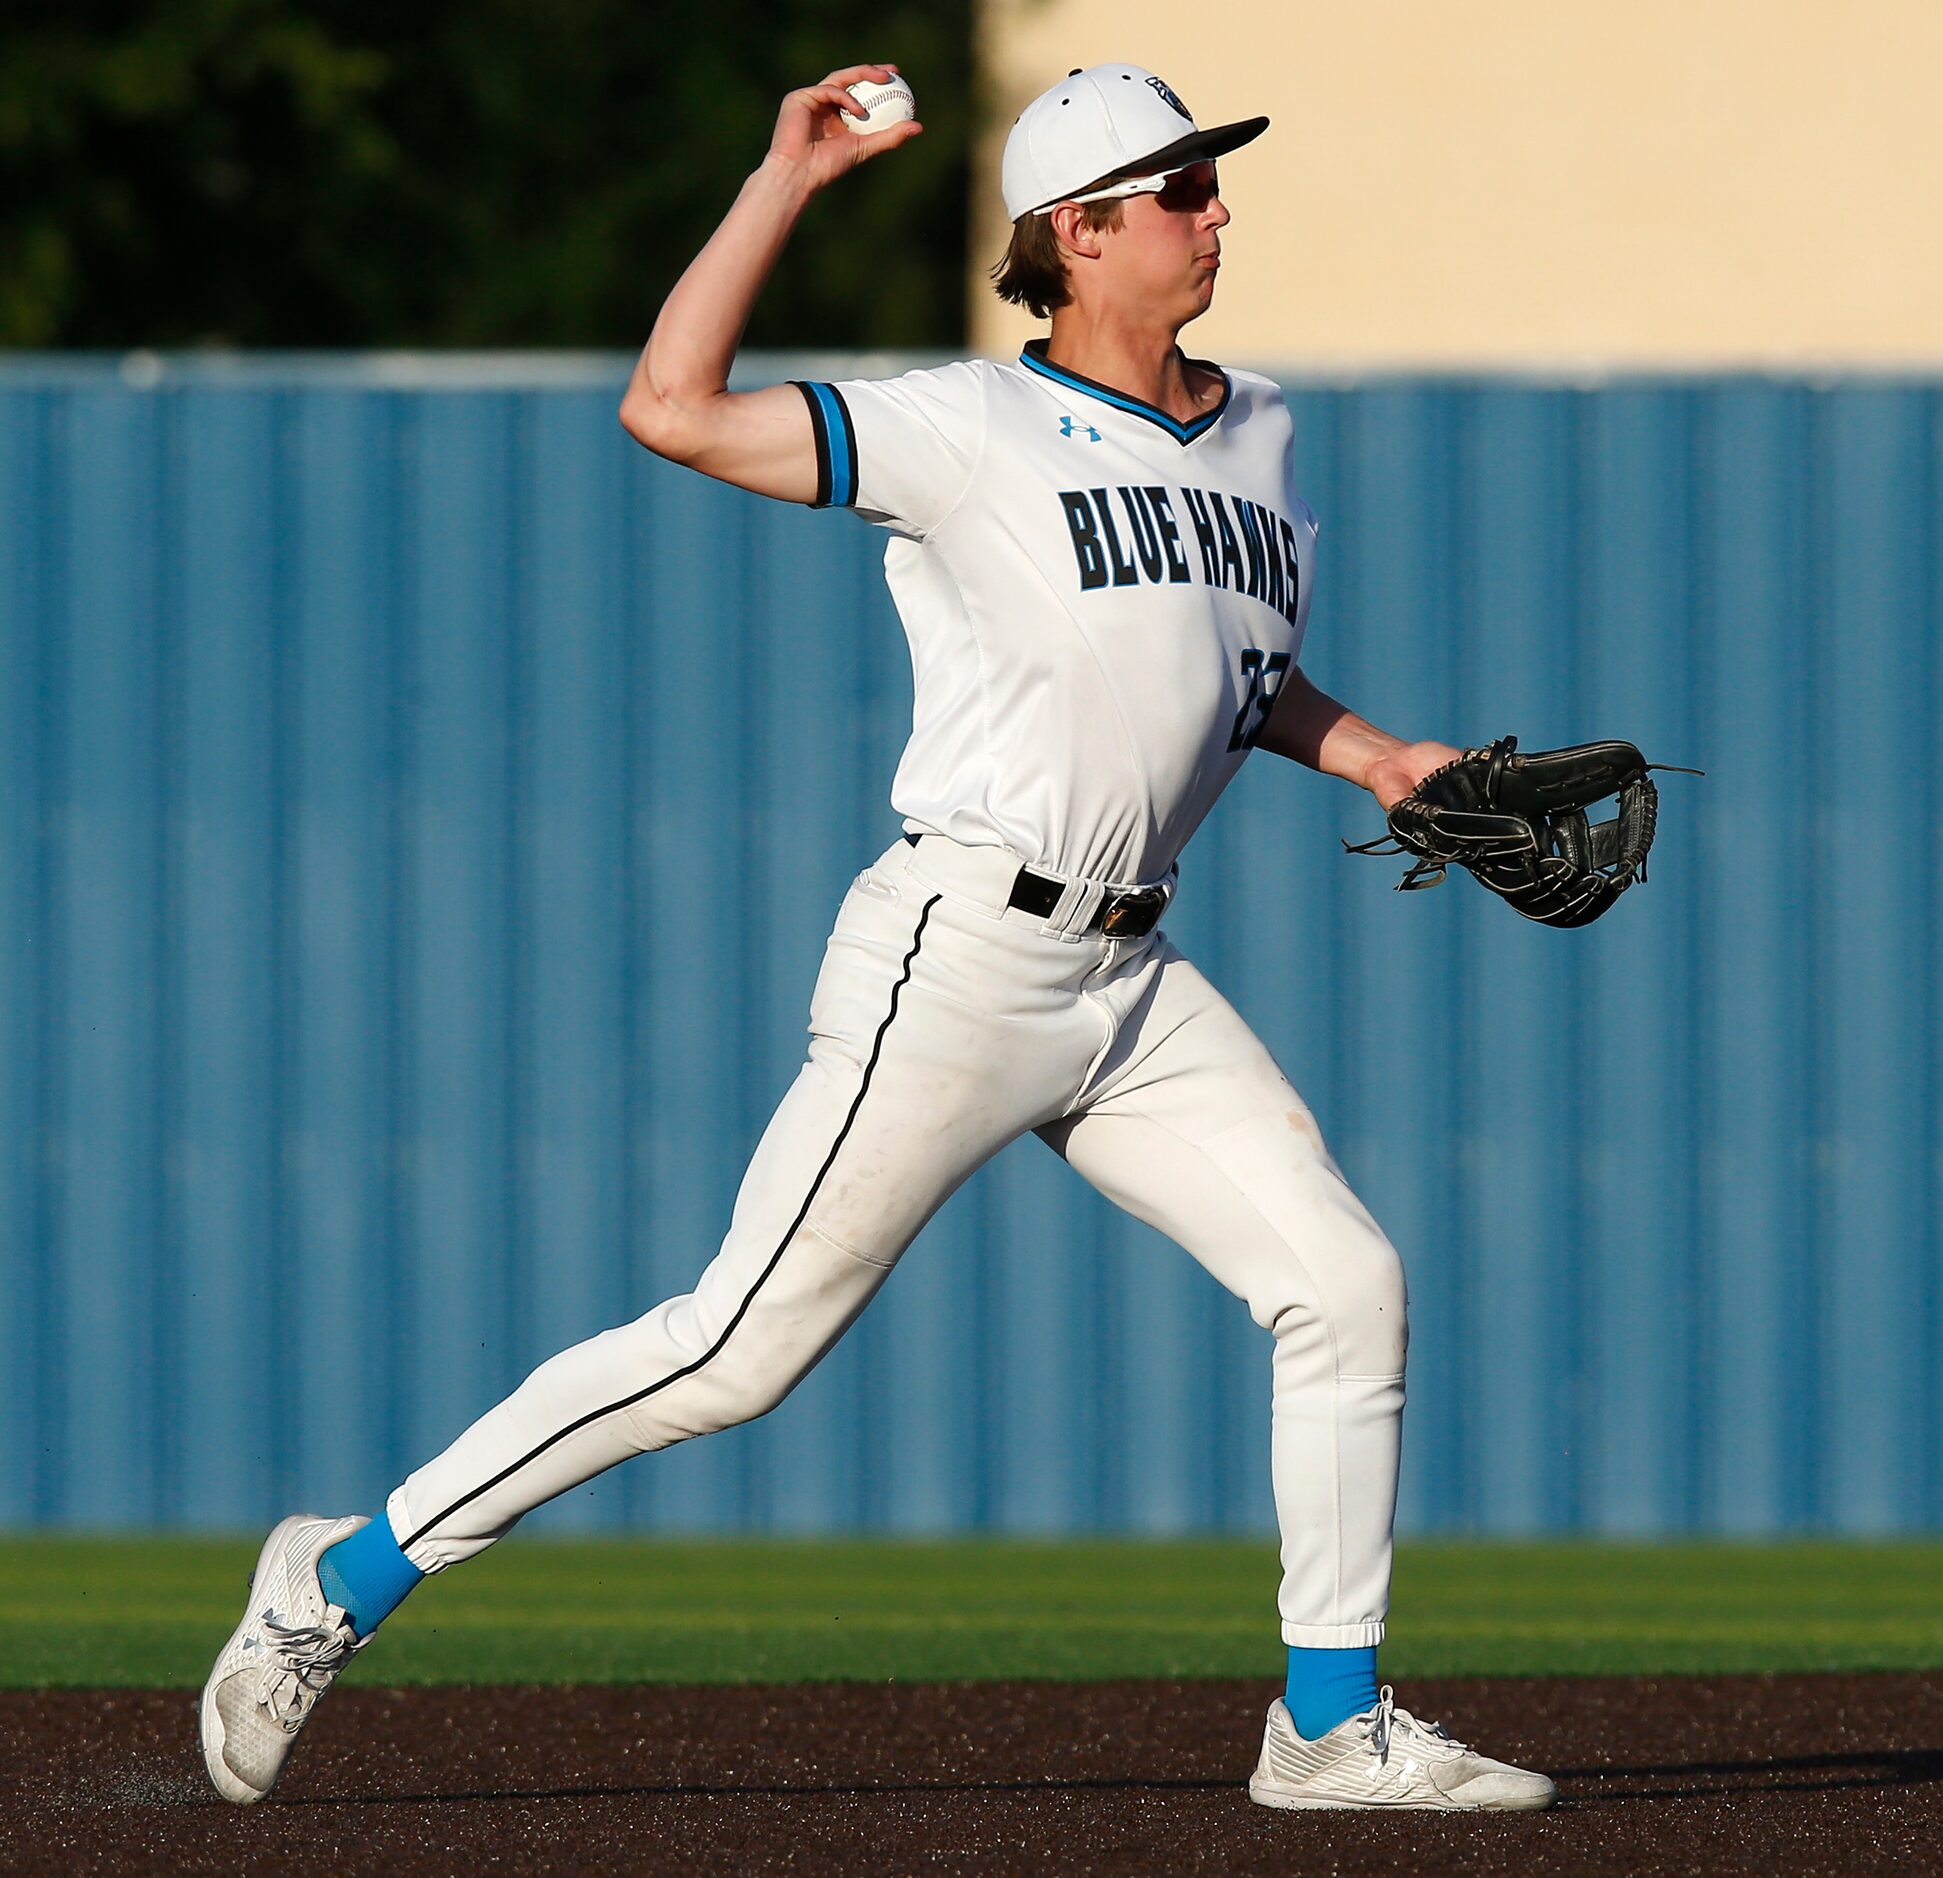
(1388, 1759)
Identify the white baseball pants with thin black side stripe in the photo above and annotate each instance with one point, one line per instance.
(943, 1026)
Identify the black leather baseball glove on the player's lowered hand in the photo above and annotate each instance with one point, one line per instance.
(1518, 824)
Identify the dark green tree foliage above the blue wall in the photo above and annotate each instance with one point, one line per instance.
(452, 172)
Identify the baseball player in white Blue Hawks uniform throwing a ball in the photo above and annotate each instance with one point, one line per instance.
(1105, 572)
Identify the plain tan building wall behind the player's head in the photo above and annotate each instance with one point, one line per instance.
(1536, 182)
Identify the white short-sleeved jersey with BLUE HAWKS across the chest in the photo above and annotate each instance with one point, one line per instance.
(1103, 603)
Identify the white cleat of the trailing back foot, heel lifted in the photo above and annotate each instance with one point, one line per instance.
(279, 1661)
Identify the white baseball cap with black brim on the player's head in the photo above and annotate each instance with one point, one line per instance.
(1103, 123)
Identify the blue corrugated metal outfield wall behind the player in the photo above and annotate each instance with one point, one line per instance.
(421, 815)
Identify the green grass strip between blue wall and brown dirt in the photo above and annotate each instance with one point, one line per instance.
(545, 1611)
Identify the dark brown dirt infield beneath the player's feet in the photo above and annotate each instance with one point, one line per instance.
(1736, 1774)
